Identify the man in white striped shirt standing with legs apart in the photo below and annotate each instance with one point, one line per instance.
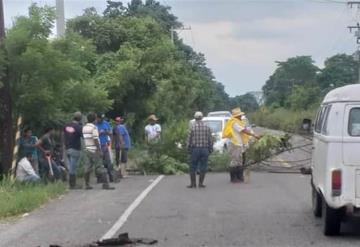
(93, 153)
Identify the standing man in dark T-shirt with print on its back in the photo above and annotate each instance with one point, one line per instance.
(72, 142)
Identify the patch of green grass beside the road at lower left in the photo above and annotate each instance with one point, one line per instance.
(19, 198)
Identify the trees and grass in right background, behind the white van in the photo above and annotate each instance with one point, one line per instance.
(296, 88)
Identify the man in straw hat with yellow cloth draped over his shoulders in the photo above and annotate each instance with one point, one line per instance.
(240, 136)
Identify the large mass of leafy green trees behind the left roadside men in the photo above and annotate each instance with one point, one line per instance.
(121, 61)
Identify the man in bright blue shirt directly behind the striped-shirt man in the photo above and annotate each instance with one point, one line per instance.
(105, 135)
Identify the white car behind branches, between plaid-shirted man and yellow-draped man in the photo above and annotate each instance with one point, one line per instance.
(217, 125)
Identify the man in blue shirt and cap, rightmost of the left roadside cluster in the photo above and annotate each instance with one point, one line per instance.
(122, 144)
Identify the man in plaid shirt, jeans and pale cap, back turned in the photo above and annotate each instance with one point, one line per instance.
(200, 145)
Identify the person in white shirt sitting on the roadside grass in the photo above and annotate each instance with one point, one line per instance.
(25, 172)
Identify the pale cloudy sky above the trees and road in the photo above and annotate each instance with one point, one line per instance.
(242, 39)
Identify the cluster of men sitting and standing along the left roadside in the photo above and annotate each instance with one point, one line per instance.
(43, 158)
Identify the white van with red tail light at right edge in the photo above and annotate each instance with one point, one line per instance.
(336, 158)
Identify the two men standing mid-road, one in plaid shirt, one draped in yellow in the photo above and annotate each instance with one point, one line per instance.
(200, 146)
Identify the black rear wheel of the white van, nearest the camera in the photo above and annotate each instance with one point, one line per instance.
(332, 220)
